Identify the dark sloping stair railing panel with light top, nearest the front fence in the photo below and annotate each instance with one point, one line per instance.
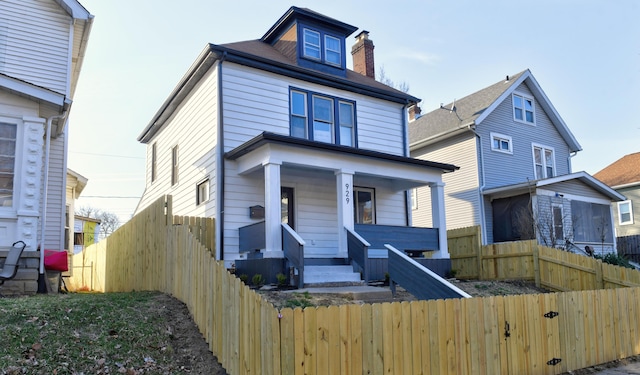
(417, 279)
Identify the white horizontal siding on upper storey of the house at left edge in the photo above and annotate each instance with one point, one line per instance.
(36, 37)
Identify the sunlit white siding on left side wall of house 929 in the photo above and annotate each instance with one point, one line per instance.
(193, 128)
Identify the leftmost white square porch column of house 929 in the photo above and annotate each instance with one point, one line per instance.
(272, 211)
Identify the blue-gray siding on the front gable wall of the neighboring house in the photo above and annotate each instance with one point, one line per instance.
(506, 169)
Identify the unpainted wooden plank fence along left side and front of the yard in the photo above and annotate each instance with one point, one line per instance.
(528, 334)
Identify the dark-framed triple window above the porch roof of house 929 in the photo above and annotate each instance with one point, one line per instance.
(322, 118)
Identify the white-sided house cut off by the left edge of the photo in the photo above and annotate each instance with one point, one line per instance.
(42, 46)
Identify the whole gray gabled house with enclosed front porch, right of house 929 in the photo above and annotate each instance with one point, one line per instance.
(515, 179)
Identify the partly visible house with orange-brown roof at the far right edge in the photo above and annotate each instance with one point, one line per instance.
(623, 175)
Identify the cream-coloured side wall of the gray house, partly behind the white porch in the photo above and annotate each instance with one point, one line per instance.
(461, 187)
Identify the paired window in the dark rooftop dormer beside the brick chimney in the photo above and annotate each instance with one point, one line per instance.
(322, 47)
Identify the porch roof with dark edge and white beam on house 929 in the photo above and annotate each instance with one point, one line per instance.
(404, 173)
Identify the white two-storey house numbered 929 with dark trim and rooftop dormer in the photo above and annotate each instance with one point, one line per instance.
(278, 130)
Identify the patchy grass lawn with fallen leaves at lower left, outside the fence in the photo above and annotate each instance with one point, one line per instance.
(127, 333)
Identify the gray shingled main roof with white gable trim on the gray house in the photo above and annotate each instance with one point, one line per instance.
(473, 109)
